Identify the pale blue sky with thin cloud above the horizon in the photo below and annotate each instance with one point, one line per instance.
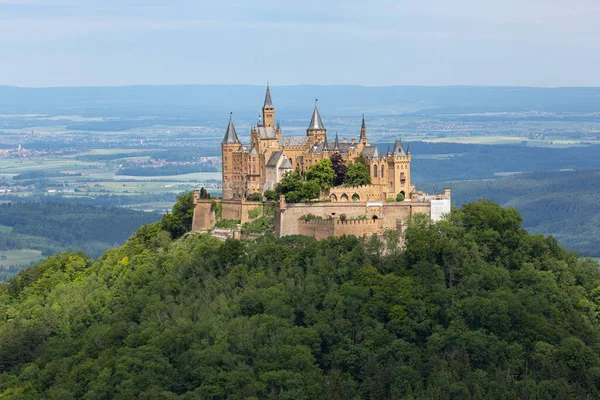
(372, 43)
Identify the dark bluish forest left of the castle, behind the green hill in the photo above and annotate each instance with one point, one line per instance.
(56, 226)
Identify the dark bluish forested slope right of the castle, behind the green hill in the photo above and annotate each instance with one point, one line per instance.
(564, 204)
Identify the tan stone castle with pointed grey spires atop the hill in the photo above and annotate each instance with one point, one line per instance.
(252, 169)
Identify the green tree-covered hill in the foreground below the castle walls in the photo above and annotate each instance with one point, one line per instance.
(473, 308)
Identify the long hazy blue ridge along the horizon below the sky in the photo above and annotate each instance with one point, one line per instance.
(212, 101)
